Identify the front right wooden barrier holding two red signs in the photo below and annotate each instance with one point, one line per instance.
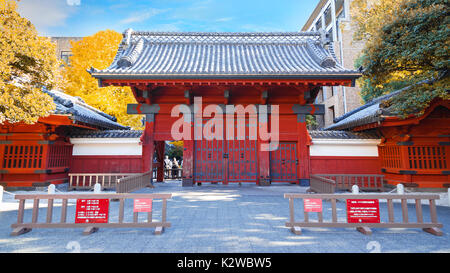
(431, 227)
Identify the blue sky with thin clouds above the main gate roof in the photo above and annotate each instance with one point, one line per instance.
(86, 17)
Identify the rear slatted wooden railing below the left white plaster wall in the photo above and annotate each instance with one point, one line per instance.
(88, 180)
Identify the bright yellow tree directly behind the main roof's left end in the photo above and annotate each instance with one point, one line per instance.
(98, 51)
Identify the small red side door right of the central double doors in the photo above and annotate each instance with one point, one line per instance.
(284, 163)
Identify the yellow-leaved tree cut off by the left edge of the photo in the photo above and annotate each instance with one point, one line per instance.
(27, 64)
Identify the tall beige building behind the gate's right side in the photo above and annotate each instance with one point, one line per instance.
(334, 16)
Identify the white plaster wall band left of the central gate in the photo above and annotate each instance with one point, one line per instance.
(106, 146)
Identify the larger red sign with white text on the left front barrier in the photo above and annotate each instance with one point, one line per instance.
(92, 211)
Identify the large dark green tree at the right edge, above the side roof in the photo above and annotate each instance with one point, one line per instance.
(410, 45)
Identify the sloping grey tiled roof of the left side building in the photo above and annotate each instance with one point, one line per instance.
(82, 112)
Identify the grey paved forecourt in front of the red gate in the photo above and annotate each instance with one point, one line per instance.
(217, 218)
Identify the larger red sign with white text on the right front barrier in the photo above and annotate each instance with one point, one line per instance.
(363, 211)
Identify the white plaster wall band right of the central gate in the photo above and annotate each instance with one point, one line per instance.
(344, 147)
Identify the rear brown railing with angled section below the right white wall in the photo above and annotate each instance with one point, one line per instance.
(321, 183)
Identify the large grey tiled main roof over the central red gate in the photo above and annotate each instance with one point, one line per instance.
(222, 55)
